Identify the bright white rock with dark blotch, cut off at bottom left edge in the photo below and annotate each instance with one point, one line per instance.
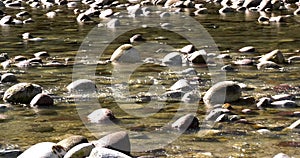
(44, 150)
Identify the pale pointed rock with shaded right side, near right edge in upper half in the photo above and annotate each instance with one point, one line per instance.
(275, 56)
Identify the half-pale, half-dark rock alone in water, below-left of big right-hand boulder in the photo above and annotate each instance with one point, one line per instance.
(186, 122)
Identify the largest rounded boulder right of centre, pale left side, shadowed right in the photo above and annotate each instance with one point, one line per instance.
(222, 92)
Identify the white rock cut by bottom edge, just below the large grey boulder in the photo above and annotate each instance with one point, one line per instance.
(106, 153)
